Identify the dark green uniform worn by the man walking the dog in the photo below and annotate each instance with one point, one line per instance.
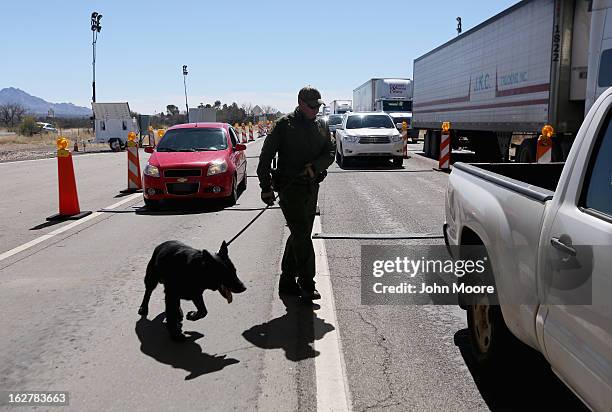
(298, 141)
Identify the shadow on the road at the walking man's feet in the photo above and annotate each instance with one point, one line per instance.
(294, 332)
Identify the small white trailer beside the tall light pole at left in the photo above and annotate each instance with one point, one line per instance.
(113, 122)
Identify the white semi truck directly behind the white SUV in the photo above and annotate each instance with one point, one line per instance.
(387, 95)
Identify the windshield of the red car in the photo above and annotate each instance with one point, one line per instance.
(193, 140)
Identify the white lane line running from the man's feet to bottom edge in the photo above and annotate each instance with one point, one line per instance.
(332, 386)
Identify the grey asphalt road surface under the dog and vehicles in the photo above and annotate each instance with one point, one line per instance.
(69, 303)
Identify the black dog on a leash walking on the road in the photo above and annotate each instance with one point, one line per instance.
(185, 273)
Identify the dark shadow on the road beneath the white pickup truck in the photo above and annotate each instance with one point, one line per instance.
(527, 383)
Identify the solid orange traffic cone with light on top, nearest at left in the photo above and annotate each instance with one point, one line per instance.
(68, 197)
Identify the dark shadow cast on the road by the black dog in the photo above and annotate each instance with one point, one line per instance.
(155, 342)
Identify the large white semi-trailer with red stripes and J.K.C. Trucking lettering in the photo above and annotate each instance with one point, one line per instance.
(499, 83)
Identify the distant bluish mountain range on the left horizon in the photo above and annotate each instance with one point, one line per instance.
(37, 106)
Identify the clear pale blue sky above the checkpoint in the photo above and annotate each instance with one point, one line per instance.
(243, 51)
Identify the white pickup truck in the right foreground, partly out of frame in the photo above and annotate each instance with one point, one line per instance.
(544, 225)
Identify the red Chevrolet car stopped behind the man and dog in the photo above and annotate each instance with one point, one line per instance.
(195, 160)
